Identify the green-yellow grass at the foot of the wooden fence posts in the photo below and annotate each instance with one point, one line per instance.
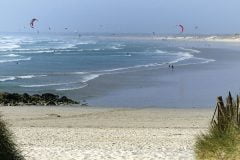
(217, 145)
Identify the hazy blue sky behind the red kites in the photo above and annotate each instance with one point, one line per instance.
(122, 16)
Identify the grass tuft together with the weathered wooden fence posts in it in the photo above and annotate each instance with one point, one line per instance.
(222, 141)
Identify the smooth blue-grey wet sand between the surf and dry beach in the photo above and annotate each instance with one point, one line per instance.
(192, 85)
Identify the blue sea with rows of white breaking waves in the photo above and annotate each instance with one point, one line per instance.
(62, 63)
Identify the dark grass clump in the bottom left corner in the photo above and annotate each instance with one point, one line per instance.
(8, 149)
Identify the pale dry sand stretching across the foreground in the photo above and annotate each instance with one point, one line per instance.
(74, 133)
